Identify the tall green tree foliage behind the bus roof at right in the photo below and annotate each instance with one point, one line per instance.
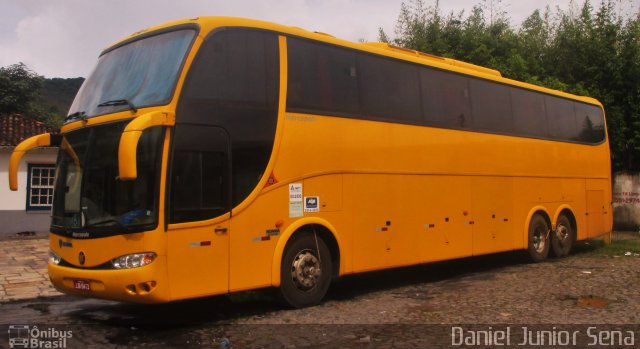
(592, 51)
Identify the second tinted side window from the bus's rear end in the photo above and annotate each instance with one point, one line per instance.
(561, 118)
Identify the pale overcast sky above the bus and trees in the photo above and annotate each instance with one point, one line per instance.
(62, 38)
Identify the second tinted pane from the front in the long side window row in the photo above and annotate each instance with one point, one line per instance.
(389, 89)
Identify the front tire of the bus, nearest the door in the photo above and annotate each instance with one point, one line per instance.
(305, 272)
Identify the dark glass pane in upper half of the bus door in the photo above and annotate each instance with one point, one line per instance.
(199, 175)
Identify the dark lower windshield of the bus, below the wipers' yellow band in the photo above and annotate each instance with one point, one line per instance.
(88, 194)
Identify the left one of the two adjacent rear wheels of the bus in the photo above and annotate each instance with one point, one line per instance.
(538, 234)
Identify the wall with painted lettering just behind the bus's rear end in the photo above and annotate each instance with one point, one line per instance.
(626, 201)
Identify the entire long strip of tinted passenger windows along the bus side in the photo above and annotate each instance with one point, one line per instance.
(326, 79)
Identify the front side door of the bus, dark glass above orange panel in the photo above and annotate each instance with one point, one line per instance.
(199, 211)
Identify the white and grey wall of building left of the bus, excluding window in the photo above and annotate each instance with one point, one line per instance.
(14, 218)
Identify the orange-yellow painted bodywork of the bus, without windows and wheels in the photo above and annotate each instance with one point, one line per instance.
(390, 194)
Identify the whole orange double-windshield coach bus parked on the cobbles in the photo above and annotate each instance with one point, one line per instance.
(215, 155)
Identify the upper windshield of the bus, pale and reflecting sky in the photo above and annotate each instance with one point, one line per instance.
(141, 73)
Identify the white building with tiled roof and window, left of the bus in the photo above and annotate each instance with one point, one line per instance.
(29, 208)
